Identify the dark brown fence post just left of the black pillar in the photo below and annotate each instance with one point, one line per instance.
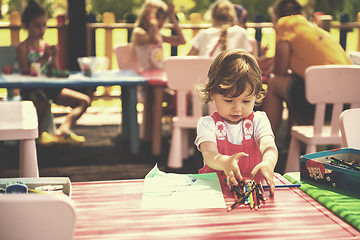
(62, 41)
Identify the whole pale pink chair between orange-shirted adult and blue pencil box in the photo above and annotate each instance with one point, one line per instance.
(325, 84)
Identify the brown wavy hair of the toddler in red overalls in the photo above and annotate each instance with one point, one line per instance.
(231, 73)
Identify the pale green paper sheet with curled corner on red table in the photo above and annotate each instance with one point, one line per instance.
(181, 191)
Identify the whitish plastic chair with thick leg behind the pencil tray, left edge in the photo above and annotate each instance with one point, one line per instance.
(18, 121)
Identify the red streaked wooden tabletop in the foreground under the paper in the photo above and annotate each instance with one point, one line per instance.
(111, 210)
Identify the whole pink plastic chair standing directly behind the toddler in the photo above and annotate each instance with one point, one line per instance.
(183, 73)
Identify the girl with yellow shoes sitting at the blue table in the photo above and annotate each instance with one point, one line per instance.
(34, 49)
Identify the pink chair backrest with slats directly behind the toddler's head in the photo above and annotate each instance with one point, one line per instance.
(183, 74)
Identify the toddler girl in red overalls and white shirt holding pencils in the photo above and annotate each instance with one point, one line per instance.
(235, 140)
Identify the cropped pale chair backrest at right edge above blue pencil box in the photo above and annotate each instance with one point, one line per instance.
(350, 127)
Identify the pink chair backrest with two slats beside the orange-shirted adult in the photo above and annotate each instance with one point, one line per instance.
(332, 84)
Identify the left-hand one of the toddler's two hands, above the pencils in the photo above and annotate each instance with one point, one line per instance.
(231, 168)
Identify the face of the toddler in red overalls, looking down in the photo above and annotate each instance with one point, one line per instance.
(233, 110)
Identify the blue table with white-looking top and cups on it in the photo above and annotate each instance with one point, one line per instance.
(127, 79)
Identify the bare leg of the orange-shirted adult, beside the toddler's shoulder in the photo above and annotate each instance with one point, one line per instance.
(273, 102)
